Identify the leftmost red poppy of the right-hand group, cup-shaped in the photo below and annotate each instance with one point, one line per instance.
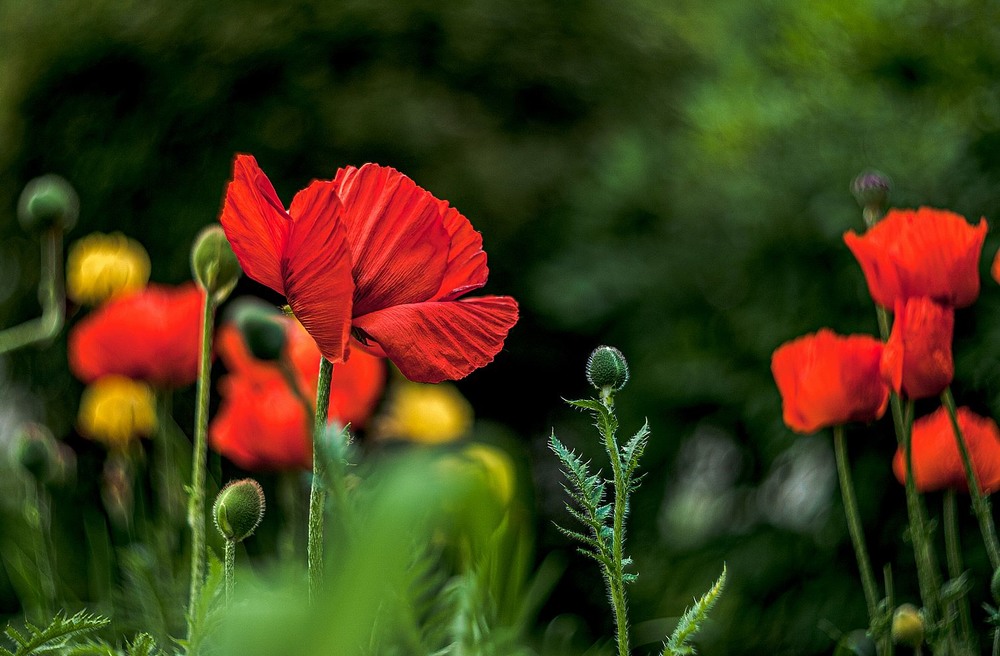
(825, 380)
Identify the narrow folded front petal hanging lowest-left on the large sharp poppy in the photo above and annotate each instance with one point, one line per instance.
(317, 269)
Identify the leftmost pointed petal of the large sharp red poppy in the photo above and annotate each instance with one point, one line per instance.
(255, 223)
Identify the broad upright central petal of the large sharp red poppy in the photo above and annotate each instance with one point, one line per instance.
(399, 244)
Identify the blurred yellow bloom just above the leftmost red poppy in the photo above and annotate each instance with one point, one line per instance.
(101, 266)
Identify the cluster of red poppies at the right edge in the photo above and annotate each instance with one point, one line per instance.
(920, 265)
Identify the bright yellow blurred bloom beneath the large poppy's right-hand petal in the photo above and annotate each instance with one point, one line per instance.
(429, 414)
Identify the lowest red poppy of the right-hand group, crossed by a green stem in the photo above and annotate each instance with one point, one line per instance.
(937, 464)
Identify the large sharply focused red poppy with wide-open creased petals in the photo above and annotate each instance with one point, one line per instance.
(372, 255)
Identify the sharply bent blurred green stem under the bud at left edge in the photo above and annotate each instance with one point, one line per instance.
(51, 296)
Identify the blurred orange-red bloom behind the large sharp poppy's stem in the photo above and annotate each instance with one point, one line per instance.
(261, 424)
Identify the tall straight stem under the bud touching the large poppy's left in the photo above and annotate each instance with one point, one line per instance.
(196, 502)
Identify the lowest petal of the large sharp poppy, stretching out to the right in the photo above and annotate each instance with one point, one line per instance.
(431, 342)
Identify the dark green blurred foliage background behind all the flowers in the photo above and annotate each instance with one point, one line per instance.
(668, 177)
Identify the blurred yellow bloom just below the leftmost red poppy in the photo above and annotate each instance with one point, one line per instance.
(115, 410)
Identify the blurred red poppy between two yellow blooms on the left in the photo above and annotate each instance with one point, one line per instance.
(152, 336)
